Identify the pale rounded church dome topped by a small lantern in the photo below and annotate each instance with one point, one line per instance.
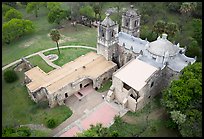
(161, 46)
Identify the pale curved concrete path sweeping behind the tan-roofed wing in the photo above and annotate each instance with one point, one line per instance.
(37, 53)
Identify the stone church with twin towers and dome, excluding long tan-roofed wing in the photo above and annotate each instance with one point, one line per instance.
(145, 68)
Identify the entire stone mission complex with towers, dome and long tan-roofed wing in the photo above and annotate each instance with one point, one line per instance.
(139, 69)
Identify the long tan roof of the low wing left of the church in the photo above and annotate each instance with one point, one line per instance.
(95, 65)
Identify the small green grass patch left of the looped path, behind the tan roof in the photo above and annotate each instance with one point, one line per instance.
(38, 61)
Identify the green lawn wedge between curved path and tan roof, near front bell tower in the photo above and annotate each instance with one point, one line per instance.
(67, 54)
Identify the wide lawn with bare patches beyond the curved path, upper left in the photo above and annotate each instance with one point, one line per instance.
(39, 40)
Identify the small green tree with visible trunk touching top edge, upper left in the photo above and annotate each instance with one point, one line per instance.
(34, 7)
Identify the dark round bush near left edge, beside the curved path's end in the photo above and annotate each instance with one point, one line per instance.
(10, 76)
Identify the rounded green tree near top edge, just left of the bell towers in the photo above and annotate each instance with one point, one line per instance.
(87, 11)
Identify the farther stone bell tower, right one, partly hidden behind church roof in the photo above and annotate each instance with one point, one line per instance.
(131, 22)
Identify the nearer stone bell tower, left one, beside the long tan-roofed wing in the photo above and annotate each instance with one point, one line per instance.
(107, 40)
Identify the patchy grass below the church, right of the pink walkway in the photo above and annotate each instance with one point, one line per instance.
(137, 125)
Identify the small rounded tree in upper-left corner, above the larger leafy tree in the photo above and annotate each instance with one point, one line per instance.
(13, 13)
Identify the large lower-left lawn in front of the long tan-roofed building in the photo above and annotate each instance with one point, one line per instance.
(19, 109)
